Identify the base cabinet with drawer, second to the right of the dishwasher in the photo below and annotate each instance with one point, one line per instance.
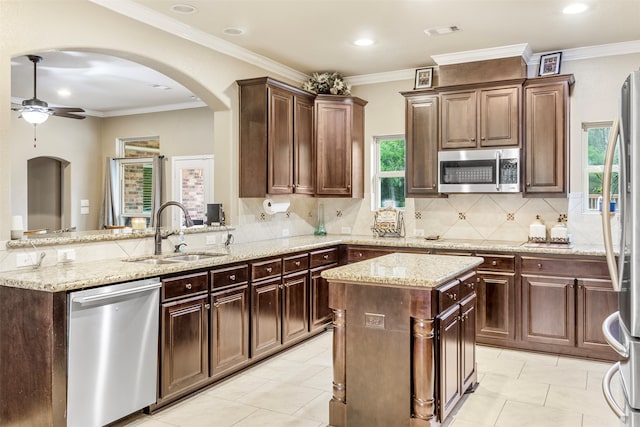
(229, 319)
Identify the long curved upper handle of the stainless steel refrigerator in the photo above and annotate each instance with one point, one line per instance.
(606, 198)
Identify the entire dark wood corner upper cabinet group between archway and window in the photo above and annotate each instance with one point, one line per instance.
(296, 142)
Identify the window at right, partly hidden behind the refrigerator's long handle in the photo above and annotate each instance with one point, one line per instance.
(595, 137)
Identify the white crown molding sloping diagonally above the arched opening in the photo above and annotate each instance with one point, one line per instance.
(147, 16)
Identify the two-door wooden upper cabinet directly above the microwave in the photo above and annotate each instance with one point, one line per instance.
(481, 117)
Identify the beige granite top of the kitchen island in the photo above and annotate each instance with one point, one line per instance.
(403, 269)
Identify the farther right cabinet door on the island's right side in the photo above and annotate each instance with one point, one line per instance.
(468, 341)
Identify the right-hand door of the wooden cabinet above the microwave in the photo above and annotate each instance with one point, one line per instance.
(500, 117)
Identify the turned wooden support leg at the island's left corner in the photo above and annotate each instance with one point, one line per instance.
(338, 403)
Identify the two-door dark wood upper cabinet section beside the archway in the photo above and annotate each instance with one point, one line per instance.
(276, 138)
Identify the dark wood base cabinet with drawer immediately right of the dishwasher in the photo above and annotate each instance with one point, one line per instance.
(184, 340)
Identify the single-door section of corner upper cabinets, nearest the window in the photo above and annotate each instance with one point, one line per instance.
(339, 124)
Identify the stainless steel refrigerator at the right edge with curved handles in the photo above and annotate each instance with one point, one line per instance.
(622, 328)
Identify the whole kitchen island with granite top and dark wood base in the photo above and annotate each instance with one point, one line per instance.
(402, 355)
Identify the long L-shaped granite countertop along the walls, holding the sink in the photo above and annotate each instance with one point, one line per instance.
(79, 275)
